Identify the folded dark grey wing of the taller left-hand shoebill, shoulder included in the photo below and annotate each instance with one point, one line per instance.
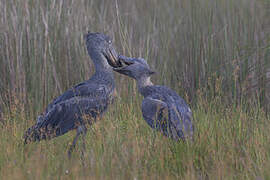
(67, 110)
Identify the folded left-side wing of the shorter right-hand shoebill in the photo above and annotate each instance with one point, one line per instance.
(155, 113)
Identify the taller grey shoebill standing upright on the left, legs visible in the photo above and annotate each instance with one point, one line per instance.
(83, 103)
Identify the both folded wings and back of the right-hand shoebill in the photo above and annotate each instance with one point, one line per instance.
(172, 116)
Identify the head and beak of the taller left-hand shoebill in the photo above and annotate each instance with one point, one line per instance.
(101, 50)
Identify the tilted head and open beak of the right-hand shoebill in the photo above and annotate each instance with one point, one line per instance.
(133, 67)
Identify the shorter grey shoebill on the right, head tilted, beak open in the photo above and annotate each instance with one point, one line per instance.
(162, 108)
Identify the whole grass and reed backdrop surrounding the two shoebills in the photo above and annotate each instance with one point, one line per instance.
(215, 54)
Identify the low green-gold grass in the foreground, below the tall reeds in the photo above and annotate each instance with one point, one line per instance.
(229, 143)
